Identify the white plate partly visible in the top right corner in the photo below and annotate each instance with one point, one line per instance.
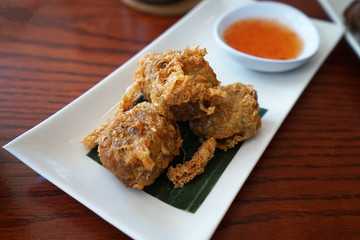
(335, 9)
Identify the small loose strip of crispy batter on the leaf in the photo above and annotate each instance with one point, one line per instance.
(184, 173)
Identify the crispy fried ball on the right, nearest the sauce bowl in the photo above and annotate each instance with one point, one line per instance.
(235, 118)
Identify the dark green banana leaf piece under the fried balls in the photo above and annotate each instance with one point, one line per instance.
(191, 196)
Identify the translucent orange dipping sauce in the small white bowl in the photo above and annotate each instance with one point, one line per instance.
(263, 38)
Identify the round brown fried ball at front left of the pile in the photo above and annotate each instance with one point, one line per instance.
(137, 145)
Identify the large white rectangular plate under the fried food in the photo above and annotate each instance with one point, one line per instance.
(53, 148)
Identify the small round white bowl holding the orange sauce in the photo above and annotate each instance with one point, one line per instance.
(285, 15)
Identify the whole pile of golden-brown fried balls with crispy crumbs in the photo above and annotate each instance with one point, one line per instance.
(138, 144)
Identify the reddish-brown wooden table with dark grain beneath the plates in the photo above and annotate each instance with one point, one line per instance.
(305, 186)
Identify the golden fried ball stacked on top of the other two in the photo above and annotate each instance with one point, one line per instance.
(181, 84)
